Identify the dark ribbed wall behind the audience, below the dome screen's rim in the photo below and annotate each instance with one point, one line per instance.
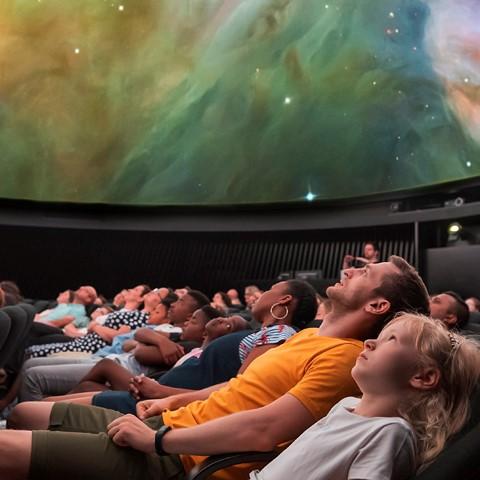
(46, 260)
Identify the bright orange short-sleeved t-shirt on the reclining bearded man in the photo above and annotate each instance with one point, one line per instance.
(314, 369)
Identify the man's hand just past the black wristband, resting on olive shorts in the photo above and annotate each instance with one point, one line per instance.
(129, 431)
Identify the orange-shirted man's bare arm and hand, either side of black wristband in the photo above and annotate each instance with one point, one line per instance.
(261, 430)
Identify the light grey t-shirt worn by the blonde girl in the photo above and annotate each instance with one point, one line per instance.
(344, 445)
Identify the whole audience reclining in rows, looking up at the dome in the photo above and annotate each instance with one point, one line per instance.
(369, 382)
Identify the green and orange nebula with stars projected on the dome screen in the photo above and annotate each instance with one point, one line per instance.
(212, 102)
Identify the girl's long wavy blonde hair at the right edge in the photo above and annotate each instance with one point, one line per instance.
(437, 414)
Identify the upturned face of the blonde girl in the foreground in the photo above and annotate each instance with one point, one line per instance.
(387, 365)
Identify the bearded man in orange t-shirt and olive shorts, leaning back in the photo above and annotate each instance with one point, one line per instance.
(281, 394)
